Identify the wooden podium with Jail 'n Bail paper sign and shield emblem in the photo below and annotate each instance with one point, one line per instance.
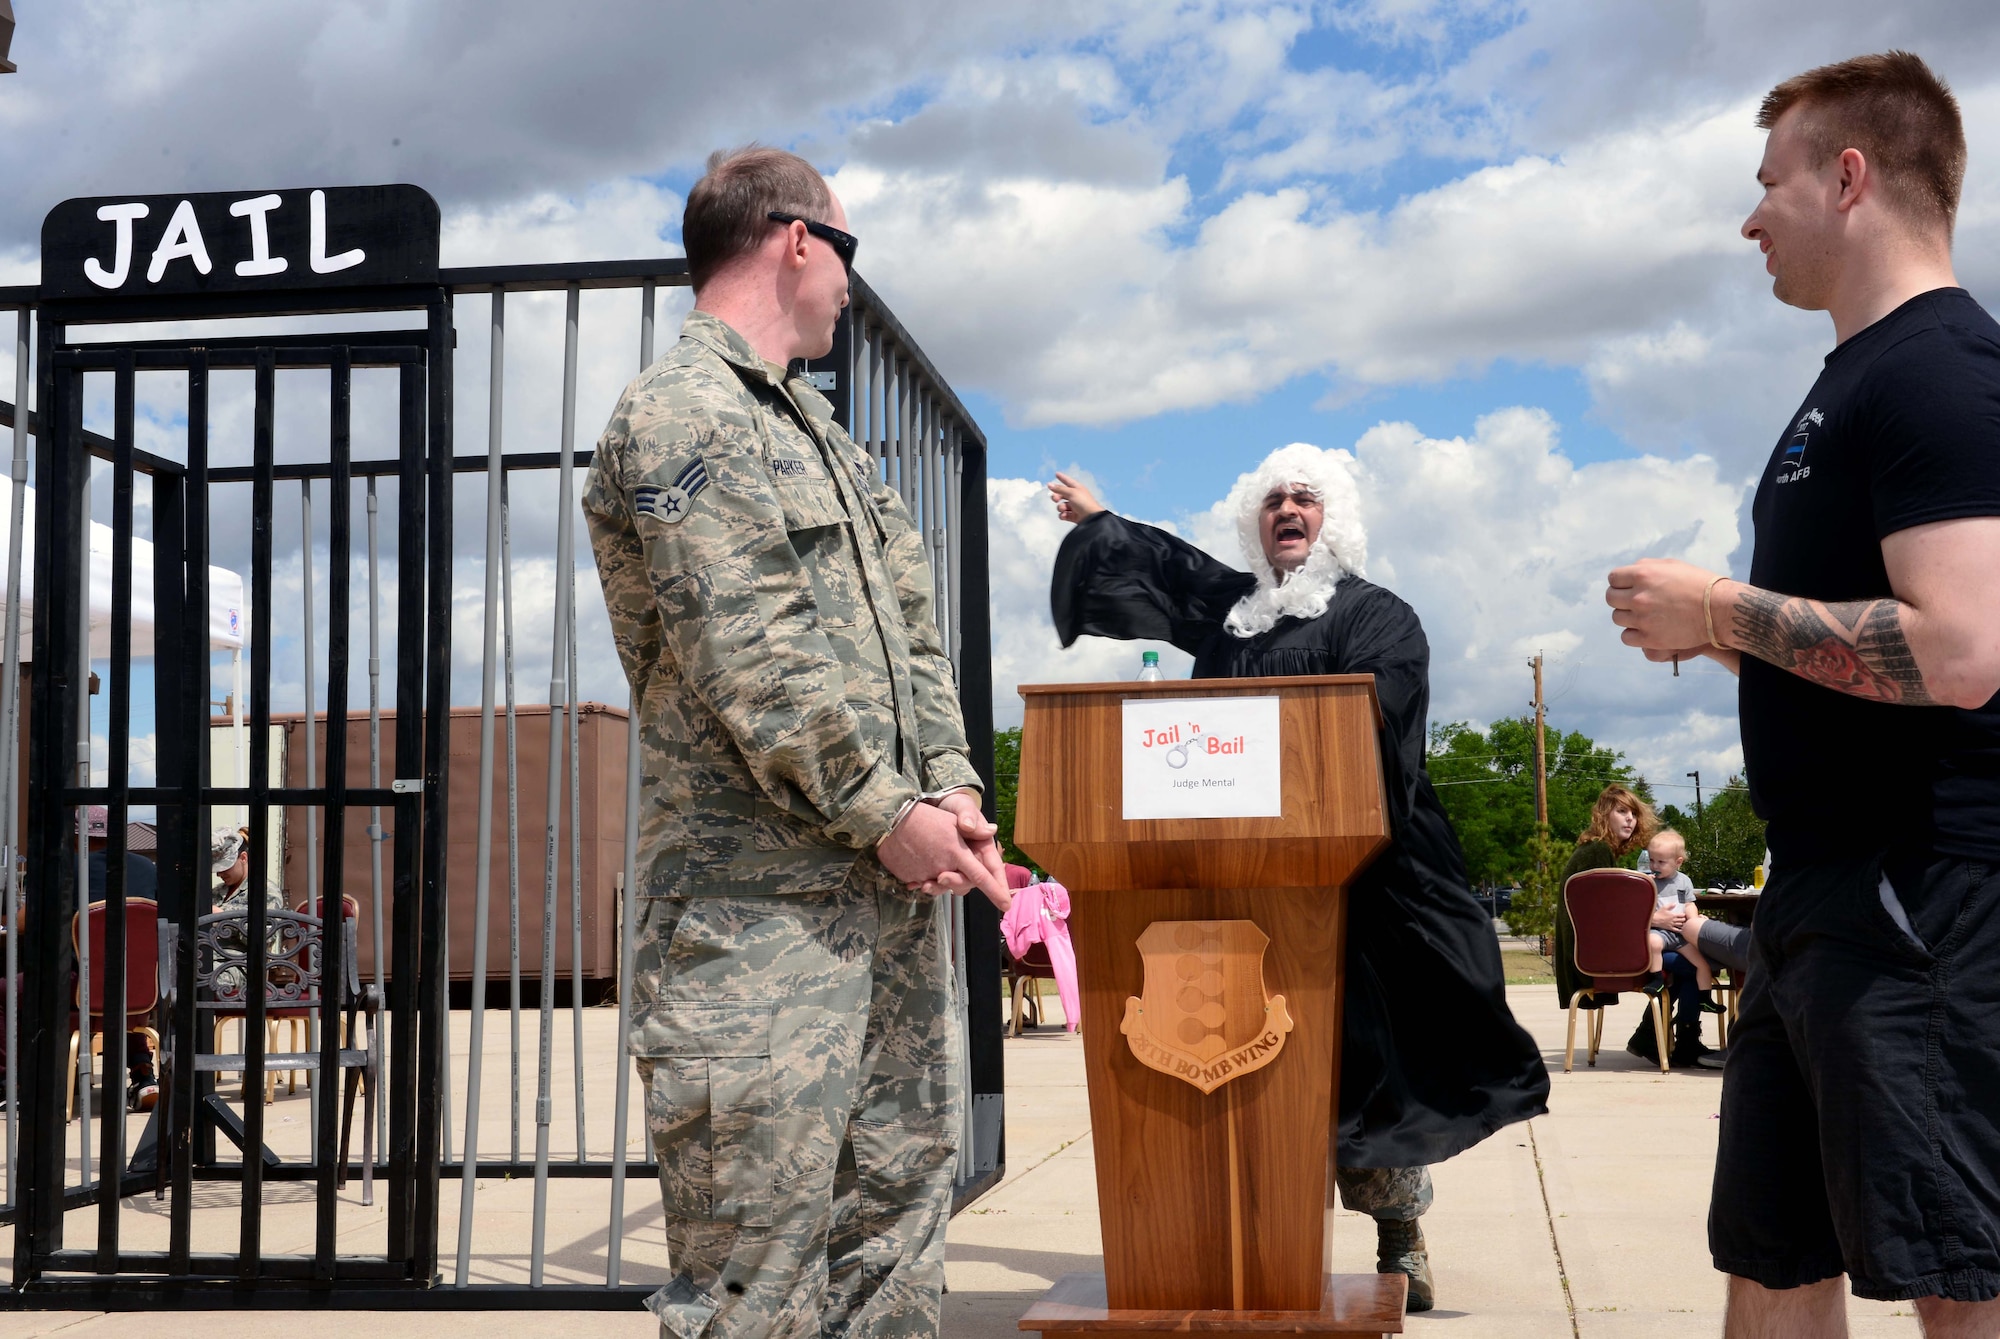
(1211, 954)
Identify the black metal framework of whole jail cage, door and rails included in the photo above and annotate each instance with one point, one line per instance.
(109, 1278)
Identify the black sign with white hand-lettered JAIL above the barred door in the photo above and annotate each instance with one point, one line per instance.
(241, 241)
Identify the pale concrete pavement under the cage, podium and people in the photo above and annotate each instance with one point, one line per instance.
(1587, 1222)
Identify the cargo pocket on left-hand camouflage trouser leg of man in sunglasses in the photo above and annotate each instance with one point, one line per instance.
(709, 1108)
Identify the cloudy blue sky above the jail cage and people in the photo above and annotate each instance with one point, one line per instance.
(1489, 247)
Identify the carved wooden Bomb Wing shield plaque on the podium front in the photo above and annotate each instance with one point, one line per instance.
(1205, 1016)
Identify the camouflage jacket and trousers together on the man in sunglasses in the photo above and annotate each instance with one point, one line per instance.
(793, 1024)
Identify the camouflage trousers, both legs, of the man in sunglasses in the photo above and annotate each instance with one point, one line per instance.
(799, 1058)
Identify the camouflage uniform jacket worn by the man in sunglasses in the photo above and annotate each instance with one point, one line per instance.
(773, 607)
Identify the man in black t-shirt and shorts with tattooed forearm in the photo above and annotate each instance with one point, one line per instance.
(1861, 1106)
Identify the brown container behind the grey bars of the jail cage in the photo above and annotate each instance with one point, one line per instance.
(603, 754)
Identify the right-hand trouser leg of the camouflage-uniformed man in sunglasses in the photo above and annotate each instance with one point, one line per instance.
(893, 1194)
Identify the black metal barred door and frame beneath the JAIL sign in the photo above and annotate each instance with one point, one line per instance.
(183, 798)
